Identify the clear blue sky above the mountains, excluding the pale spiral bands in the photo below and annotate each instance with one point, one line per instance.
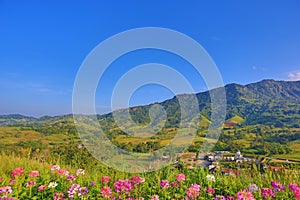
(43, 43)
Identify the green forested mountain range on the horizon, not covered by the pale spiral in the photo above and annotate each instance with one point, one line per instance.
(267, 102)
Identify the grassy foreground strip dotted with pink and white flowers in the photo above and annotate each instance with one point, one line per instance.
(22, 178)
